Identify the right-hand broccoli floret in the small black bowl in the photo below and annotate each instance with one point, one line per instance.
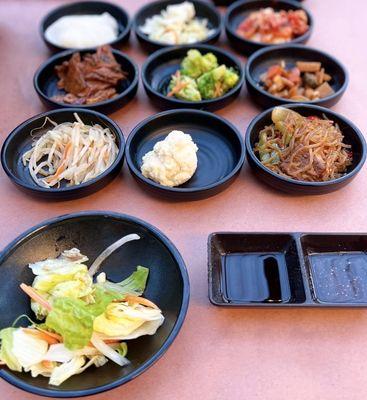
(217, 82)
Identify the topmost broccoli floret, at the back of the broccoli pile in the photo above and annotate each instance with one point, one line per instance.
(195, 64)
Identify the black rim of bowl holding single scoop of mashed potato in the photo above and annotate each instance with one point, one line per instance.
(178, 190)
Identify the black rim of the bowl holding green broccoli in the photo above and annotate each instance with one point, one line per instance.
(202, 47)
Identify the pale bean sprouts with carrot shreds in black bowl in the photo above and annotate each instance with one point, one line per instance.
(71, 151)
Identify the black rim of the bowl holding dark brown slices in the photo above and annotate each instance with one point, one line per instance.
(133, 85)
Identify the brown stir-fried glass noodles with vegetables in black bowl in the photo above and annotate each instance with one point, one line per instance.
(303, 148)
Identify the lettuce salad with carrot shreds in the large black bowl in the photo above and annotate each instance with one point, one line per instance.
(80, 321)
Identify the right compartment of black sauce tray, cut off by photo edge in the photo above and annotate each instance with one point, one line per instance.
(337, 267)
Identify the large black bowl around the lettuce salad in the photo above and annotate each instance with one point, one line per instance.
(92, 232)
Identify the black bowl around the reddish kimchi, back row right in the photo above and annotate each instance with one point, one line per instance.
(238, 11)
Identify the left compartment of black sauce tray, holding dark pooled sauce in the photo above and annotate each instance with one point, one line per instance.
(254, 269)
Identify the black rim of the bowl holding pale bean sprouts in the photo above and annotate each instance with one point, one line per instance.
(56, 191)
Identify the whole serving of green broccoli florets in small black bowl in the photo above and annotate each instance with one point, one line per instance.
(201, 78)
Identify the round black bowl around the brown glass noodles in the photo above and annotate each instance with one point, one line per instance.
(352, 136)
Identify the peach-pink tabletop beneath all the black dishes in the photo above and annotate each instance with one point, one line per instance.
(220, 354)
